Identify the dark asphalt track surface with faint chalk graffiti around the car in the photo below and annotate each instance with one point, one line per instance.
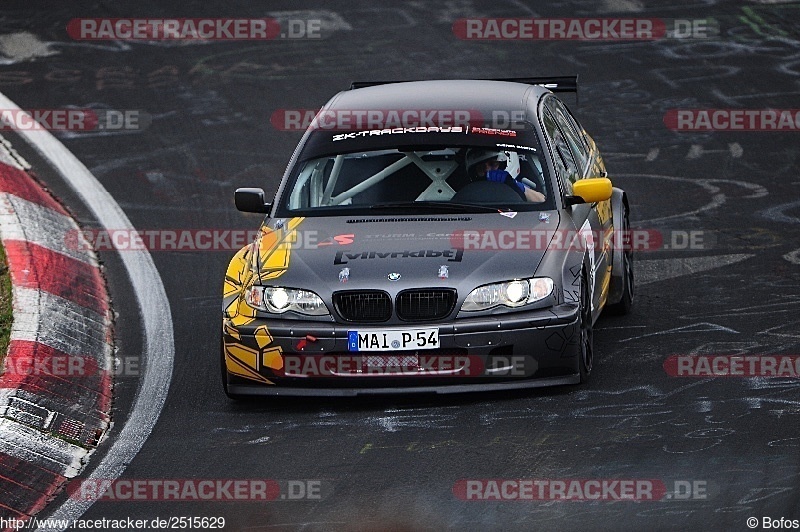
(394, 461)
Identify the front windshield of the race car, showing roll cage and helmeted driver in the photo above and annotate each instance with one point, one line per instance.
(431, 178)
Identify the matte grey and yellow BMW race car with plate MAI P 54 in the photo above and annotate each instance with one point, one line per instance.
(429, 237)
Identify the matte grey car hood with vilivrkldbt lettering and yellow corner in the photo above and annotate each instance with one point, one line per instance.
(392, 253)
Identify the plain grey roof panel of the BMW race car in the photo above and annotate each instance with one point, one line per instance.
(482, 95)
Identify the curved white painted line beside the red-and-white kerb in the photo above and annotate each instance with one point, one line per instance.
(158, 350)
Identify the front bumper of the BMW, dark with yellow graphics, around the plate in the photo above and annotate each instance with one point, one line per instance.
(509, 351)
